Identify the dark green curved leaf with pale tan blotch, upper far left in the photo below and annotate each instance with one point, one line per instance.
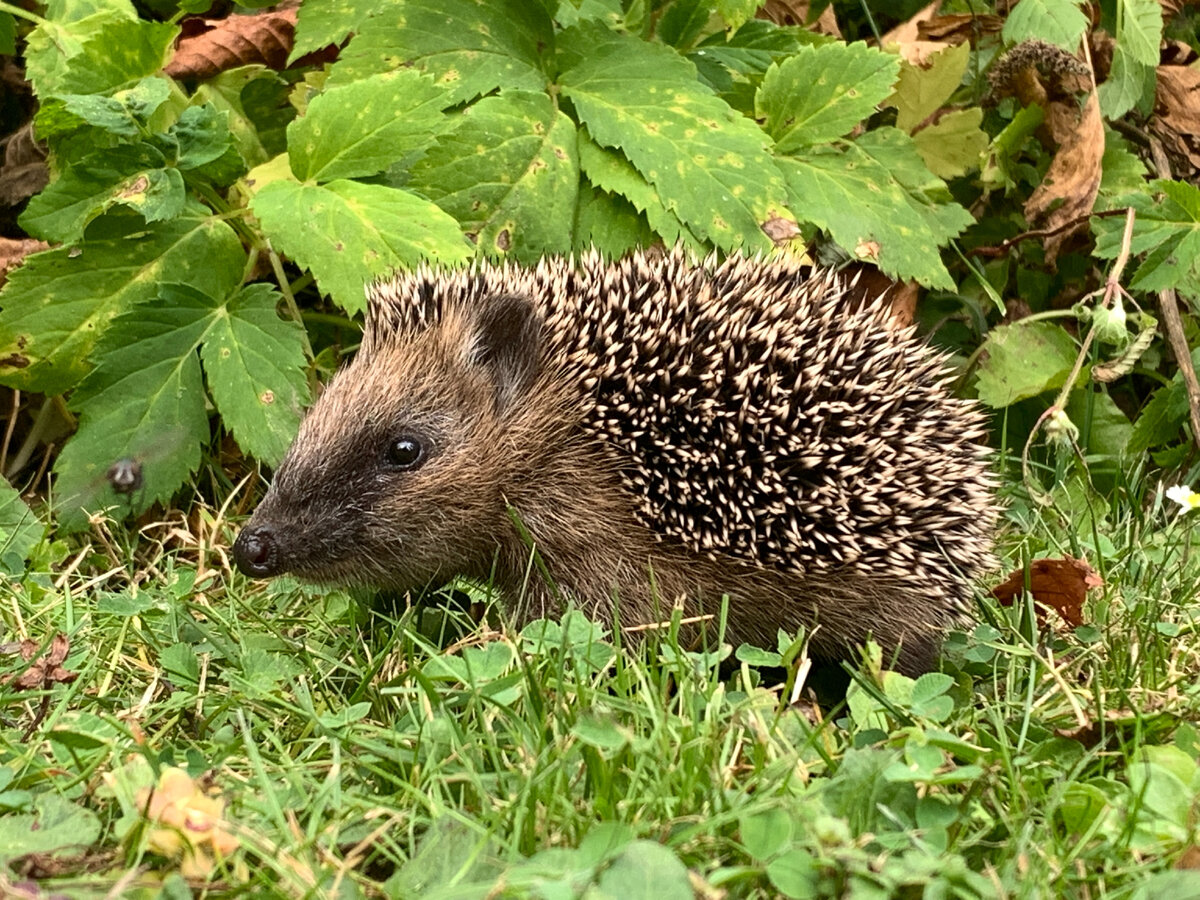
(134, 176)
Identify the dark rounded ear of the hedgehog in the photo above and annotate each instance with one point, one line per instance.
(507, 341)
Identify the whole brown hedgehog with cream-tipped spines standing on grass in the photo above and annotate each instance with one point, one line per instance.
(731, 440)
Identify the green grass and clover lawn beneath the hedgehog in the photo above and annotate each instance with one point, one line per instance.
(361, 753)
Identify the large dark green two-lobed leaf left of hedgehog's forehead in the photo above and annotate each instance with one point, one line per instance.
(146, 404)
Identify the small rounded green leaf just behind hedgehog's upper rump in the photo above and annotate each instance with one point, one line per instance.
(1024, 361)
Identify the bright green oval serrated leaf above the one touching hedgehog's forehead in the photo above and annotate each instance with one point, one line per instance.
(364, 128)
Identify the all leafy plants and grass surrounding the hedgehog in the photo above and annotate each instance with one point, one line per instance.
(197, 194)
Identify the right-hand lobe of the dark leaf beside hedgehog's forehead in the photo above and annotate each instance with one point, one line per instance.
(255, 365)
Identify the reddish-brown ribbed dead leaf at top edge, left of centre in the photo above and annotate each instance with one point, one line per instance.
(220, 45)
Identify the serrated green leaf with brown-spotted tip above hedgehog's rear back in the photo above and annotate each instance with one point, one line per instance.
(880, 202)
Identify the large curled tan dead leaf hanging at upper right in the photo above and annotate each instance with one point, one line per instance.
(1069, 190)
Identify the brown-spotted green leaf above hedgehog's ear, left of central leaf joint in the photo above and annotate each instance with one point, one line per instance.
(509, 172)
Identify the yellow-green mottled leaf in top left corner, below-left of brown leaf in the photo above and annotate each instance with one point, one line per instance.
(98, 55)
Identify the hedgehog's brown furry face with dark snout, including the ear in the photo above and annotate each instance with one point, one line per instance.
(399, 475)
